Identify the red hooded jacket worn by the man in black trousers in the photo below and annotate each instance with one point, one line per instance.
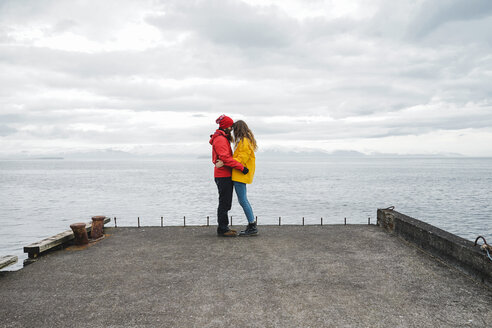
(221, 149)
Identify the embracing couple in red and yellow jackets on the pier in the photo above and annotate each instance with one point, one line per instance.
(233, 171)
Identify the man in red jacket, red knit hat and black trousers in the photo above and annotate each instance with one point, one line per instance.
(221, 149)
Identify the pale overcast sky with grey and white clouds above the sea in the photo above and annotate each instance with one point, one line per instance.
(151, 77)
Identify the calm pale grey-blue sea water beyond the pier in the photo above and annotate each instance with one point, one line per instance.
(39, 198)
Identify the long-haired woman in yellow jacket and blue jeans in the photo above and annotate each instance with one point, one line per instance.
(244, 152)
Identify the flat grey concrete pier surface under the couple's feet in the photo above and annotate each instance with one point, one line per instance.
(288, 276)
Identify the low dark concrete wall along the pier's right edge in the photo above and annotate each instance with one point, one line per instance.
(453, 250)
